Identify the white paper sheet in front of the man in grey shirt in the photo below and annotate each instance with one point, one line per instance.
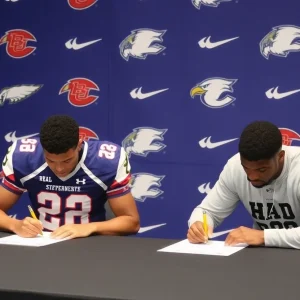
(210, 248)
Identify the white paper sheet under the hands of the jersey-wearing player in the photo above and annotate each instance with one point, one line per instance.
(38, 241)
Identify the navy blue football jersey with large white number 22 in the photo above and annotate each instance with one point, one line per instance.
(103, 172)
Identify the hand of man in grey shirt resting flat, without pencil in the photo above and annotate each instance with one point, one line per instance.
(245, 235)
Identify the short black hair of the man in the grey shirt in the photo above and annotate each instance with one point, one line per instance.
(260, 140)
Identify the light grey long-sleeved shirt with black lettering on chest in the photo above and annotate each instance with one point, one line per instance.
(275, 208)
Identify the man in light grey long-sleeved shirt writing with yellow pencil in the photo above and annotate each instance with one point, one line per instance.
(265, 176)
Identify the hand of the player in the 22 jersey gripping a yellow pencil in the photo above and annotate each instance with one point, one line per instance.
(28, 227)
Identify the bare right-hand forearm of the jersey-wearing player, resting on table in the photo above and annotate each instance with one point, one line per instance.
(117, 226)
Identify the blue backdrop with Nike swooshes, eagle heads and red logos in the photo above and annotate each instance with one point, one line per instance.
(174, 82)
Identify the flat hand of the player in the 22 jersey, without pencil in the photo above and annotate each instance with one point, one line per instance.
(71, 231)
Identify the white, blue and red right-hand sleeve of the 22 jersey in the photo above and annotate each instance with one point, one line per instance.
(121, 183)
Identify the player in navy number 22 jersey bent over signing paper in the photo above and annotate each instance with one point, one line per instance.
(68, 181)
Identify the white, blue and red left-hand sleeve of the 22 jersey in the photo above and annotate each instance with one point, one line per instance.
(11, 176)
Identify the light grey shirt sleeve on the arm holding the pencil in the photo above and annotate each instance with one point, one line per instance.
(220, 202)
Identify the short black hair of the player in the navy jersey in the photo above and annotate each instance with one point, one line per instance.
(59, 133)
